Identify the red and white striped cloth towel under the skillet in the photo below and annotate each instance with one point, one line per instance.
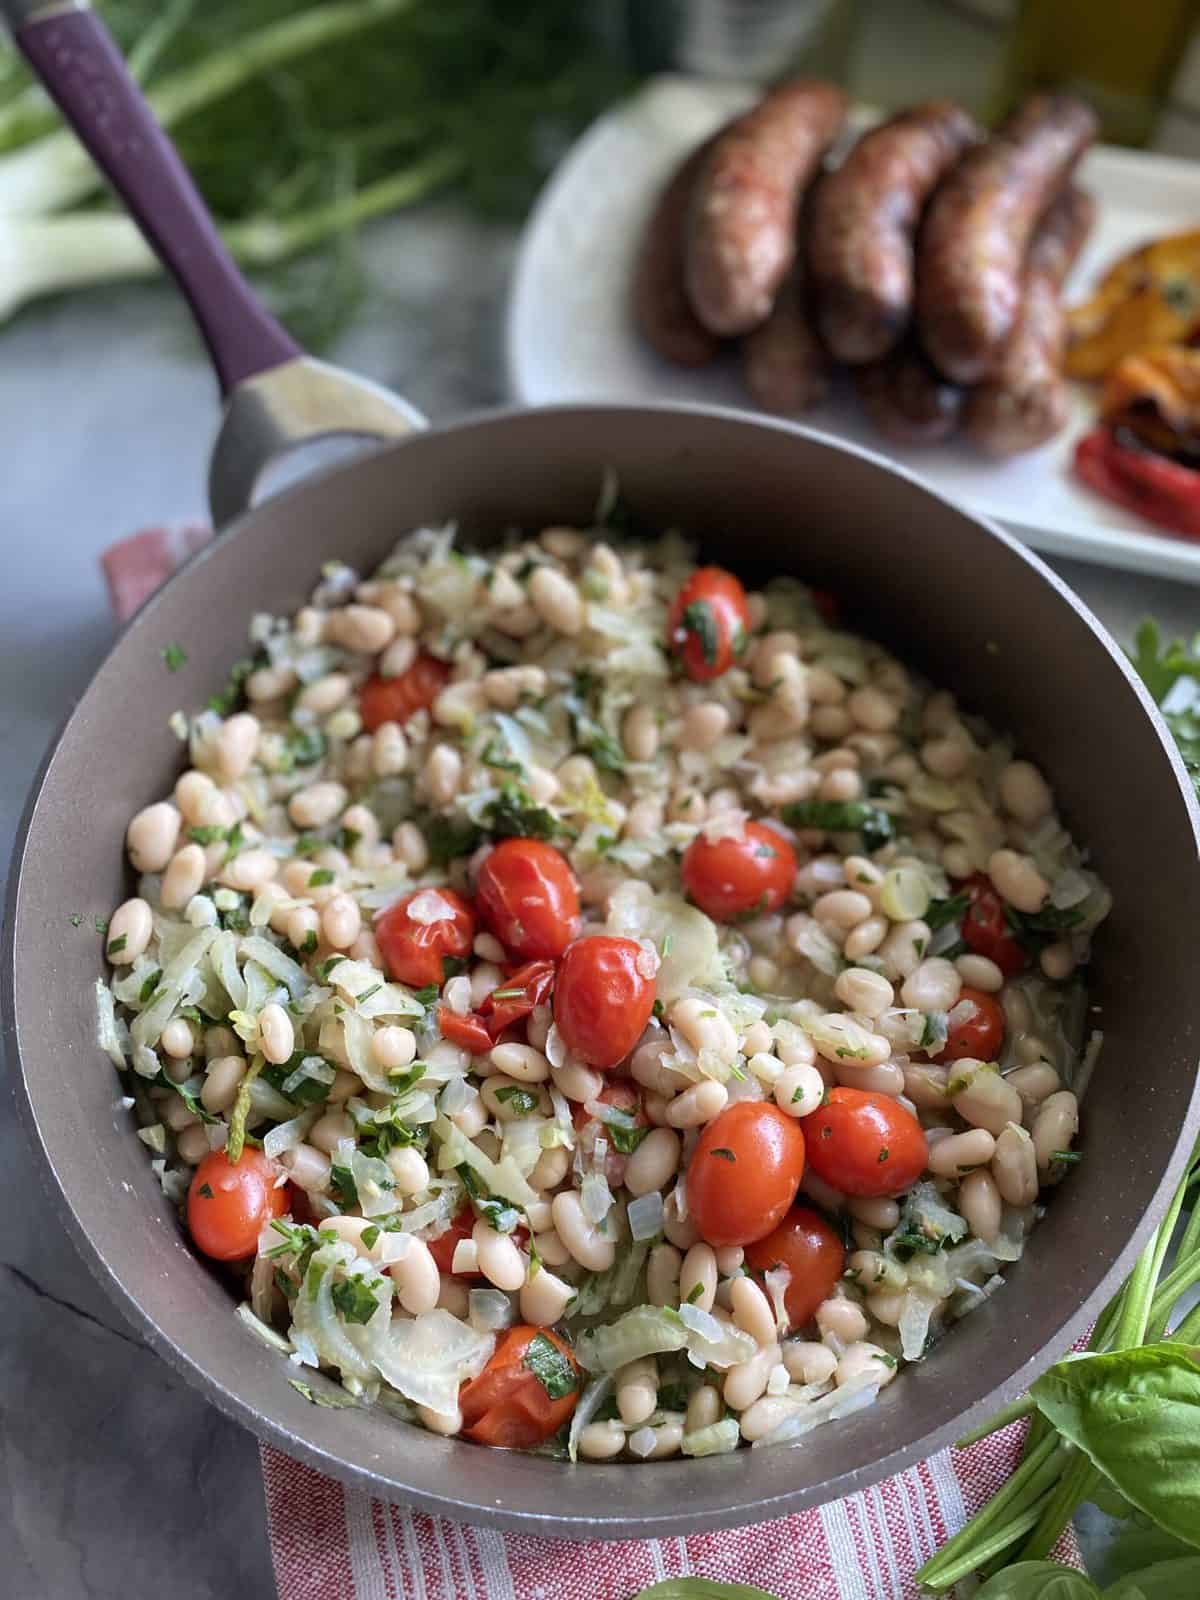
(335, 1543)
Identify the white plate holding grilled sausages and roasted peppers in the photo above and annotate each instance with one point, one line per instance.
(570, 335)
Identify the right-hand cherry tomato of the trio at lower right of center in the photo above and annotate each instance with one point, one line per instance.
(865, 1143)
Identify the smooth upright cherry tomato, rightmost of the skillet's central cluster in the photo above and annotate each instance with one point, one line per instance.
(604, 999)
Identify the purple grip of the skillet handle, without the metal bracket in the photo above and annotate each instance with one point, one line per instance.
(74, 57)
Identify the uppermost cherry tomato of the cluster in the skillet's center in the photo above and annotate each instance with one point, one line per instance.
(529, 898)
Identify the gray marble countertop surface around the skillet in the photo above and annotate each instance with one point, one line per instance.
(116, 1479)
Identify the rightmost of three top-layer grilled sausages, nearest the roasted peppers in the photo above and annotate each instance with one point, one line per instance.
(977, 231)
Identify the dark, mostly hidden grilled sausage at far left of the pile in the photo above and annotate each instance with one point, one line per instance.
(662, 310)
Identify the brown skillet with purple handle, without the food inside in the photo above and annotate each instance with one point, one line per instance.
(950, 593)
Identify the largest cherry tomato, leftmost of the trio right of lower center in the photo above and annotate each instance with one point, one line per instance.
(745, 1174)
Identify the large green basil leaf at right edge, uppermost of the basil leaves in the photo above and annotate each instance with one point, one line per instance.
(1137, 1417)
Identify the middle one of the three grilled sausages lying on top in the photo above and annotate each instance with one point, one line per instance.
(865, 222)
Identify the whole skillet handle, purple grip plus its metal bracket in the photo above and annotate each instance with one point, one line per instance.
(278, 398)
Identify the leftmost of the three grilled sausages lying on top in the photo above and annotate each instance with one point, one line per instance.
(743, 226)
